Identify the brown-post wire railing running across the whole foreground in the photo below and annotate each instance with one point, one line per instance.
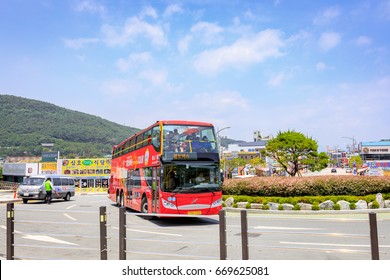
(249, 235)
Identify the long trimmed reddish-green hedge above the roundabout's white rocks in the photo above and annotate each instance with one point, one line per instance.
(307, 186)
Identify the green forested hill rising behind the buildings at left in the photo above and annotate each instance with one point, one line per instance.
(25, 124)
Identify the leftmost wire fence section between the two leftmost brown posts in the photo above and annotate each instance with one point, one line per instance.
(11, 232)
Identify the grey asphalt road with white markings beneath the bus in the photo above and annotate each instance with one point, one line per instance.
(70, 230)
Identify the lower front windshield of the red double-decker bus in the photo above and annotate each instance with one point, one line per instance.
(190, 178)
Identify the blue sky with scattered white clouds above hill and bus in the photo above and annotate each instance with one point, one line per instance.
(318, 67)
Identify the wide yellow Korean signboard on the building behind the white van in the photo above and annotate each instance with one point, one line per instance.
(87, 167)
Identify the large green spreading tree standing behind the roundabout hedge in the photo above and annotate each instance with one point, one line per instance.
(293, 150)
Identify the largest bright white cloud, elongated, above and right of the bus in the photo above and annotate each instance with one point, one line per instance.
(243, 52)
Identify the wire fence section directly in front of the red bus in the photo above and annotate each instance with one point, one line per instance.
(126, 242)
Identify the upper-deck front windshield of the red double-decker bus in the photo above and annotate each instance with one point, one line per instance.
(188, 139)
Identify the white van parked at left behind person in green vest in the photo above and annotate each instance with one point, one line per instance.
(33, 188)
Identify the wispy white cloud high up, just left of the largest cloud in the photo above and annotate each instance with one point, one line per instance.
(132, 29)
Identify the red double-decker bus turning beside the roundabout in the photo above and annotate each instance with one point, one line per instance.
(171, 167)
